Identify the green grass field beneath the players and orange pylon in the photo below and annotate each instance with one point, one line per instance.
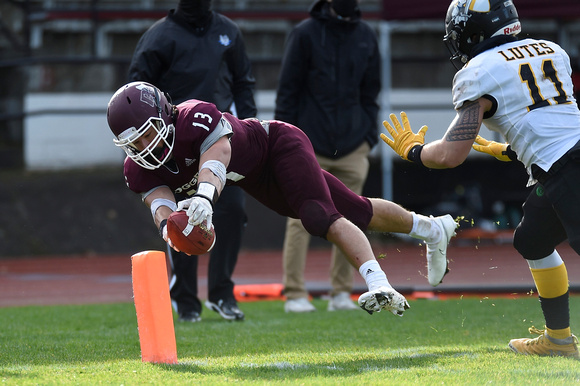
(458, 341)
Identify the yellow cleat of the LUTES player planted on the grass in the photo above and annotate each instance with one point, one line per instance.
(544, 345)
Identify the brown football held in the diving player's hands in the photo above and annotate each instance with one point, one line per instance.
(193, 240)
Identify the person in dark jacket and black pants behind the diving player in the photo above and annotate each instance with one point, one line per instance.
(195, 52)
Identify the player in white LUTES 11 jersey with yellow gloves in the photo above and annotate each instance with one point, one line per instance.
(521, 89)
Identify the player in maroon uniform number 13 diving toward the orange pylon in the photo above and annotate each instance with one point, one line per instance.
(194, 149)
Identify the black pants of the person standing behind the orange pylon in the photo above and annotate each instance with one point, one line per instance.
(229, 219)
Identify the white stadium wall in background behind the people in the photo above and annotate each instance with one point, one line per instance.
(69, 131)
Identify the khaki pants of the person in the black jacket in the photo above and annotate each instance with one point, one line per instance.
(352, 170)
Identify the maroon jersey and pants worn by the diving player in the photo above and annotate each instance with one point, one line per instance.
(271, 160)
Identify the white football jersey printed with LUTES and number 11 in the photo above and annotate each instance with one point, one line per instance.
(531, 82)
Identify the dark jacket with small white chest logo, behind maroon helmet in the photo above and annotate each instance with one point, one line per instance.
(211, 66)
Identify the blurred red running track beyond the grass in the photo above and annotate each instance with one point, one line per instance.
(475, 268)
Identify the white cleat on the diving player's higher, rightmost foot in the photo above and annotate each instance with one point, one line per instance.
(437, 263)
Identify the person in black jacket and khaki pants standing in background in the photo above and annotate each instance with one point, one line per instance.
(328, 86)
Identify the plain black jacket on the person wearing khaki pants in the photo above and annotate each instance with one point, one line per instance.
(330, 81)
